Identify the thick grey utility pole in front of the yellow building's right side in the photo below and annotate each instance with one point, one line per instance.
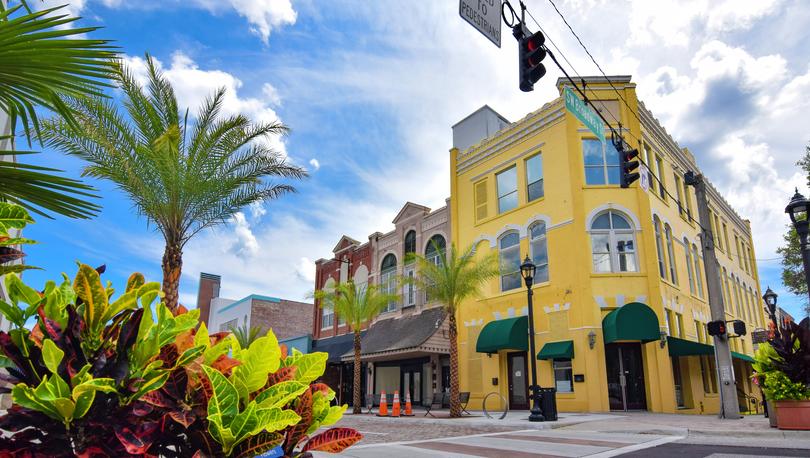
(729, 408)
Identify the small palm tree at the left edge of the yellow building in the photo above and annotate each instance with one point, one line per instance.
(454, 279)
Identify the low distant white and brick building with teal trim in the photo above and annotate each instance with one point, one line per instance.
(287, 318)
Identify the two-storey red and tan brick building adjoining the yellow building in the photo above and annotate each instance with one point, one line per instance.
(406, 347)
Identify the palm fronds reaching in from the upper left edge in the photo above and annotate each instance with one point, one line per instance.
(43, 59)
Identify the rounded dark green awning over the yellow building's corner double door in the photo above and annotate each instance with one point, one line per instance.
(633, 321)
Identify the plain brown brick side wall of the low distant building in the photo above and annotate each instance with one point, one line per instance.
(286, 318)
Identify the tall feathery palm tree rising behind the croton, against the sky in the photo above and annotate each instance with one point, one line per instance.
(183, 178)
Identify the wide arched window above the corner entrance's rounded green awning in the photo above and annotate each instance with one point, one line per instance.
(613, 243)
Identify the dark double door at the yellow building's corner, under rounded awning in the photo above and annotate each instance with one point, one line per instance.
(625, 374)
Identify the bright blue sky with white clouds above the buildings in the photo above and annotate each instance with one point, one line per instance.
(370, 91)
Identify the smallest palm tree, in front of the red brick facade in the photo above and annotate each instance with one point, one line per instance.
(356, 305)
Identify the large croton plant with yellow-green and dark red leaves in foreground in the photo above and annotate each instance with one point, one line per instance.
(92, 376)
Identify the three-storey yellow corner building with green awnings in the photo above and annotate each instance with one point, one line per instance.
(620, 298)
